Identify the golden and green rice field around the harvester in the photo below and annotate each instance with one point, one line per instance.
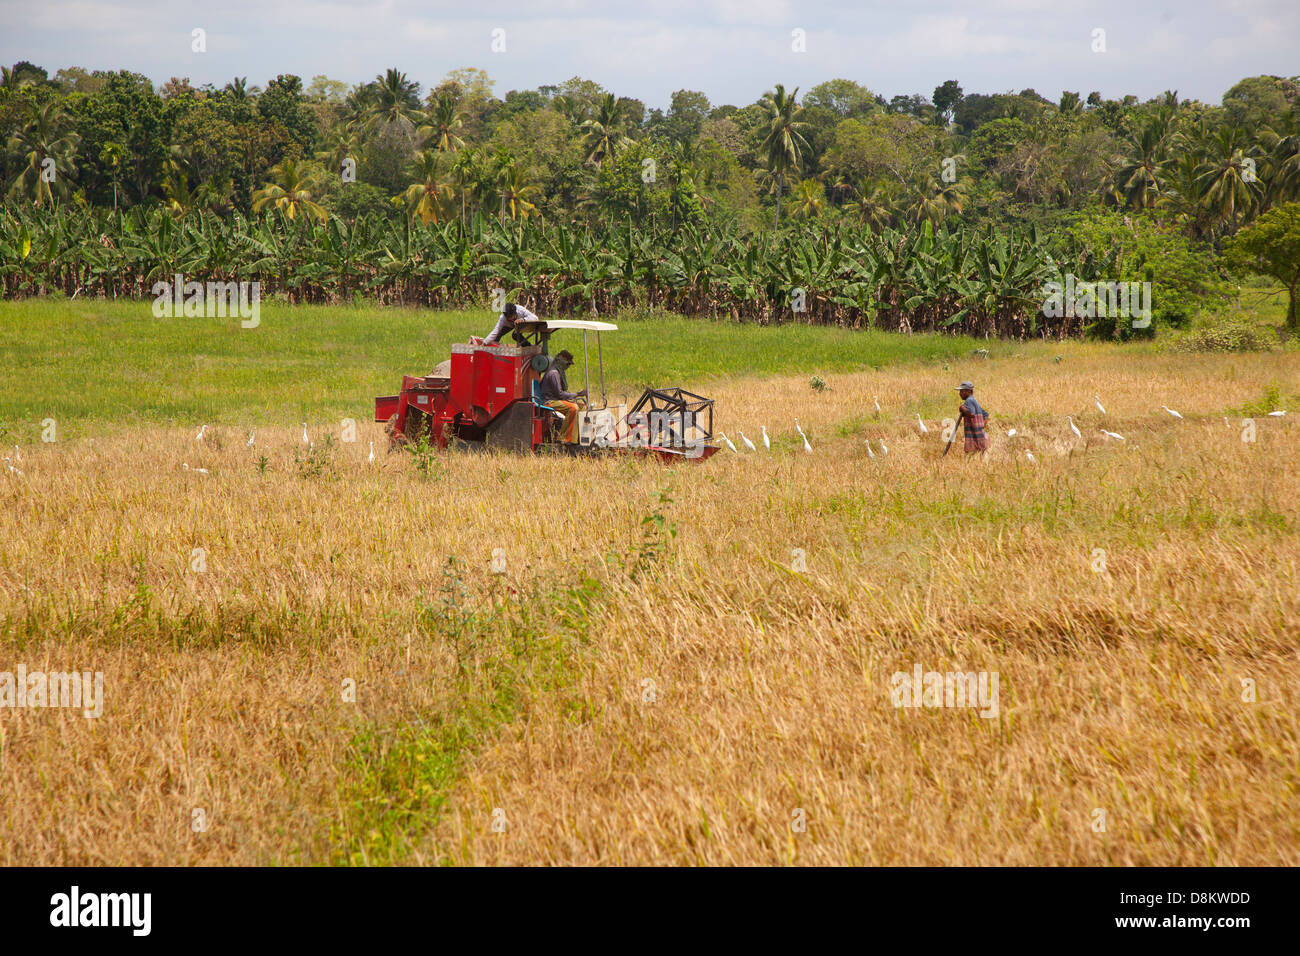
(313, 657)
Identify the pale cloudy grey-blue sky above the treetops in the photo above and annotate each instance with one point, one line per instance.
(731, 50)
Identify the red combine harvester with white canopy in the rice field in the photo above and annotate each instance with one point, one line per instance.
(488, 397)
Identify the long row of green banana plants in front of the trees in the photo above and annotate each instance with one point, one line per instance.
(916, 278)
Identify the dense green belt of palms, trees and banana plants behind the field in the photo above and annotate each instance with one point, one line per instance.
(830, 205)
